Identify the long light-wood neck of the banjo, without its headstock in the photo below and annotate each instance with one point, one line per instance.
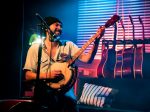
(77, 54)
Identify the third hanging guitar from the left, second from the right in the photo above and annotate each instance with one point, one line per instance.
(127, 68)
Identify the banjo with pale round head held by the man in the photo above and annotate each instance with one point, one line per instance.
(69, 72)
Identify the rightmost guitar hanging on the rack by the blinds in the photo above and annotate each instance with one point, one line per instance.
(138, 57)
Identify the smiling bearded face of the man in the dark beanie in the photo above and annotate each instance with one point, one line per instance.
(56, 28)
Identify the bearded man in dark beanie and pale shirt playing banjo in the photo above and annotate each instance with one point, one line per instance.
(55, 50)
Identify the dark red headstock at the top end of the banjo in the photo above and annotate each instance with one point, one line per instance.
(112, 20)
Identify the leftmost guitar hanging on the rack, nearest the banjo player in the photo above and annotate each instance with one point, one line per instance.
(108, 67)
